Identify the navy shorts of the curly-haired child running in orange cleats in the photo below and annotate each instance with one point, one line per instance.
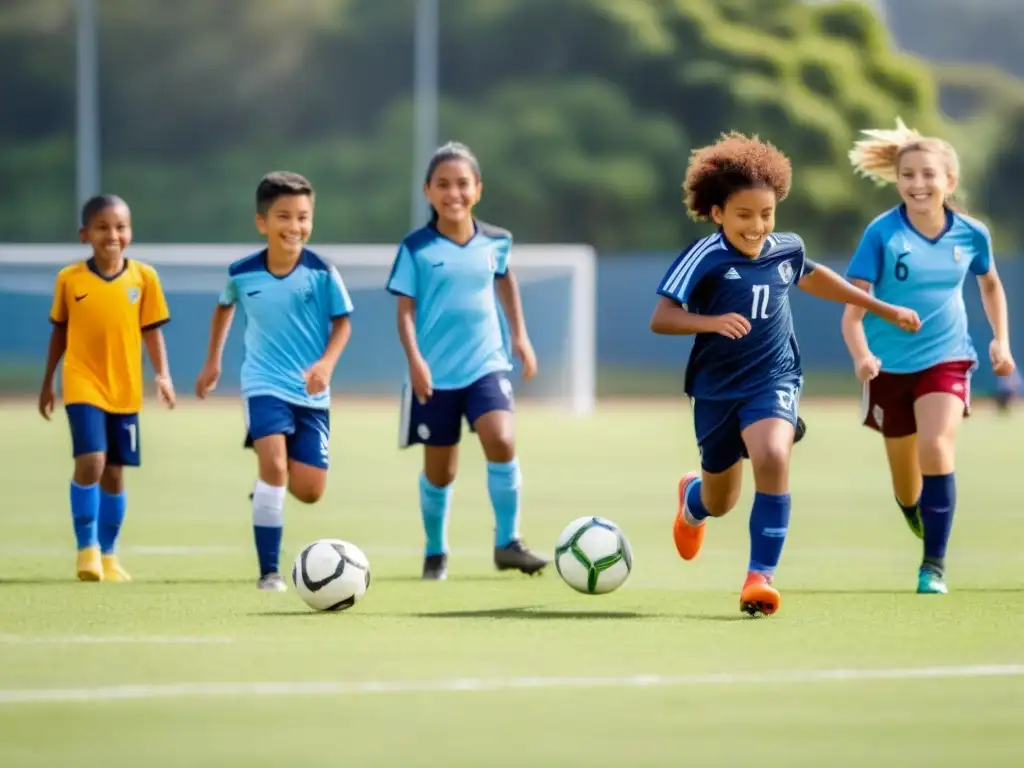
(719, 424)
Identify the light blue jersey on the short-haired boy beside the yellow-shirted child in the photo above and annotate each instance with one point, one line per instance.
(288, 323)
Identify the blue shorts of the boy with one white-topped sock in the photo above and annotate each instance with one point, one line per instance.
(307, 431)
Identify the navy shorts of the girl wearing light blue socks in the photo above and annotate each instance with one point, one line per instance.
(439, 421)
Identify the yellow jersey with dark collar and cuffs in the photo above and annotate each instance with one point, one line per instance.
(106, 318)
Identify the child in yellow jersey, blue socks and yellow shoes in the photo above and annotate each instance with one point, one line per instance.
(104, 310)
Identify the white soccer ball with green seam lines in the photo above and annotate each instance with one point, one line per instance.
(593, 557)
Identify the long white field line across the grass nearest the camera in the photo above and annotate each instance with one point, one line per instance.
(477, 686)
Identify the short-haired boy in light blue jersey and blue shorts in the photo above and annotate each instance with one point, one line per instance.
(297, 326)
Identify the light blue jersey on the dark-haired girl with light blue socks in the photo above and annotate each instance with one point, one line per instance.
(458, 327)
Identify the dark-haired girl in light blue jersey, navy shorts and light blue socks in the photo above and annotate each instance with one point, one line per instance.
(447, 277)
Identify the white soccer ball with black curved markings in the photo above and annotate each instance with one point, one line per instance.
(331, 575)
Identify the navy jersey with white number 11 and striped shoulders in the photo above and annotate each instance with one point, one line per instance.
(712, 278)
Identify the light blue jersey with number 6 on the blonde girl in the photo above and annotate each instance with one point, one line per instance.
(909, 270)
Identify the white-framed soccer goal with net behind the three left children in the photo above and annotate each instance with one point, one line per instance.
(559, 286)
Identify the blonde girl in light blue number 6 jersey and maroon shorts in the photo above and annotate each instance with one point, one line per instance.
(918, 390)
